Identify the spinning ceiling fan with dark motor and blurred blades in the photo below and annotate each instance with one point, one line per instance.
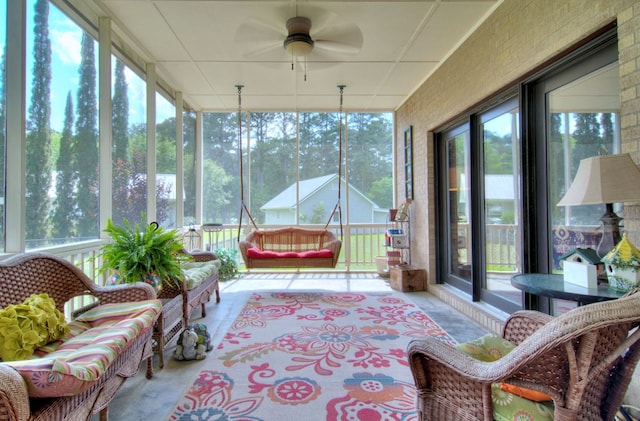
(296, 38)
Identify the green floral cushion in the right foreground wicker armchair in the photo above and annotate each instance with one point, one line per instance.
(506, 406)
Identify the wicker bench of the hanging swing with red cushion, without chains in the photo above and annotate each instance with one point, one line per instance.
(290, 247)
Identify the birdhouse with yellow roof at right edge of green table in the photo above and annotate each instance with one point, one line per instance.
(622, 264)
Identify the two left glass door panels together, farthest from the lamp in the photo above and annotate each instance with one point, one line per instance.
(482, 212)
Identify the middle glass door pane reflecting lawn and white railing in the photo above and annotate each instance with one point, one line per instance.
(502, 201)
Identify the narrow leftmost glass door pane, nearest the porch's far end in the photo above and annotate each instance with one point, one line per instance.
(459, 217)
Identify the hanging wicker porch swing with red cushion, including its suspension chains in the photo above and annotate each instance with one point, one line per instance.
(293, 246)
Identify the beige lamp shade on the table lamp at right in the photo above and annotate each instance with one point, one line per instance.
(604, 179)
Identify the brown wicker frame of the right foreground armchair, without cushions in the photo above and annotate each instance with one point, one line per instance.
(583, 359)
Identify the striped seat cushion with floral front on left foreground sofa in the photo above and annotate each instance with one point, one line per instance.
(74, 363)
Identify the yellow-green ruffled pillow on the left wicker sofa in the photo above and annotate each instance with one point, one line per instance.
(24, 327)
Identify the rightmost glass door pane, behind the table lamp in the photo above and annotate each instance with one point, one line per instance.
(582, 117)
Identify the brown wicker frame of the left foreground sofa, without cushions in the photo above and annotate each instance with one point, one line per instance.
(35, 273)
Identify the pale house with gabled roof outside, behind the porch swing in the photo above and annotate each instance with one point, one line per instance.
(320, 192)
